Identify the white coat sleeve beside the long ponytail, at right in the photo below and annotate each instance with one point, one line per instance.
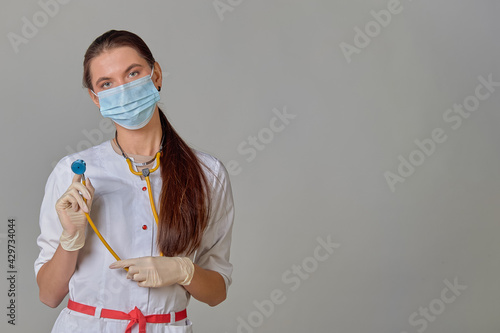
(216, 242)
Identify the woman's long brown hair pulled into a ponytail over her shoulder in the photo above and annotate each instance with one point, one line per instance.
(185, 196)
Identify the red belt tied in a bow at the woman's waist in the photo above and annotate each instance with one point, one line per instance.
(135, 316)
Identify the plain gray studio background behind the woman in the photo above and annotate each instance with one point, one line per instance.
(322, 175)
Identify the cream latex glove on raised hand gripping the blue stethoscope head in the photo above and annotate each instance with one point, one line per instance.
(70, 209)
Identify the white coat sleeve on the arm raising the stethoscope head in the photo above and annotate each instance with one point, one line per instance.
(50, 227)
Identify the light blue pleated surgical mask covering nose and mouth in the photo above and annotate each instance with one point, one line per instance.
(130, 105)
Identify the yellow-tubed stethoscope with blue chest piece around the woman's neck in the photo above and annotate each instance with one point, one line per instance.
(79, 167)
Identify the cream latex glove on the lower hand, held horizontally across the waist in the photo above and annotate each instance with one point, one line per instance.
(158, 271)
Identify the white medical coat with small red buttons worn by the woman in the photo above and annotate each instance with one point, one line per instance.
(120, 209)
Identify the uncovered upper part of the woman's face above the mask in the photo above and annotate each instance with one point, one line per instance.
(118, 66)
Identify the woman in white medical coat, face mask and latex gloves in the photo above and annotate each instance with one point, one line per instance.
(185, 252)
